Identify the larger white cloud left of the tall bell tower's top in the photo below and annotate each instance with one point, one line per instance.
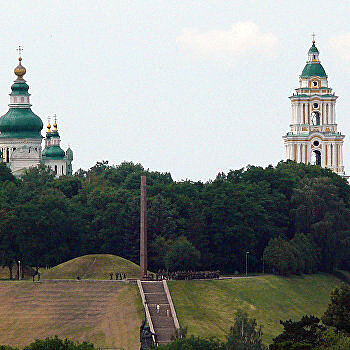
(243, 38)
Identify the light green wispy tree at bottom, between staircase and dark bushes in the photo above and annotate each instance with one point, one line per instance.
(245, 333)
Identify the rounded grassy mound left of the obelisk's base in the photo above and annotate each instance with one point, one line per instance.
(96, 266)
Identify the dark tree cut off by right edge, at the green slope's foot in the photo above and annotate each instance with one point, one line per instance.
(338, 312)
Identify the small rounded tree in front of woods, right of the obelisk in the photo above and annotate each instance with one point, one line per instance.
(182, 255)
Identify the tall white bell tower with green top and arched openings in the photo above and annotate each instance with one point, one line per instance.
(313, 137)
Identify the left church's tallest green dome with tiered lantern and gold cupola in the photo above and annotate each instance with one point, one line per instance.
(20, 121)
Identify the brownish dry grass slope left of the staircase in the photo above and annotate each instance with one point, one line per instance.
(106, 313)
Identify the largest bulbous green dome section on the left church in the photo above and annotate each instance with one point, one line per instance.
(20, 123)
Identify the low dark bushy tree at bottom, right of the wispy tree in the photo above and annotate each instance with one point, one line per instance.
(304, 331)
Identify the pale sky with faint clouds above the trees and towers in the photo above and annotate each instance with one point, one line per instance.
(193, 88)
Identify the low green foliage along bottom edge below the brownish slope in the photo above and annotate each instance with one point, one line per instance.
(58, 344)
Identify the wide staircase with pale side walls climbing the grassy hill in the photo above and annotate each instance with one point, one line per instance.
(162, 320)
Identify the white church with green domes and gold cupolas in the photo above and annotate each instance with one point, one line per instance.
(20, 134)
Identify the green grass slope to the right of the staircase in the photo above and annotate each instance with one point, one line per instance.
(207, 307)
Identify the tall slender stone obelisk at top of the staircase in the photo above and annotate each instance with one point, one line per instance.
(143, 230)
